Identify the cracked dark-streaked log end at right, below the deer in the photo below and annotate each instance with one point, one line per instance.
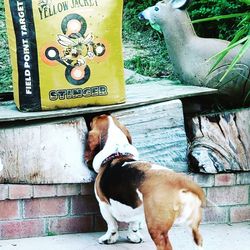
(220, 142)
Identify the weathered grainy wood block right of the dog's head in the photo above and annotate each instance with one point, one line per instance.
(158, 133)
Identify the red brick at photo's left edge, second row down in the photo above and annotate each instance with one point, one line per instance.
(9, 210)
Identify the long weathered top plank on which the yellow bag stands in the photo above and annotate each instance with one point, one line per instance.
(137, 95)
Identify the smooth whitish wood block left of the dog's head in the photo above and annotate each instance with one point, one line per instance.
(44, 153)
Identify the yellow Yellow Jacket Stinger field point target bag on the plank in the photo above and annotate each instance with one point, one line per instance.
(65, 53)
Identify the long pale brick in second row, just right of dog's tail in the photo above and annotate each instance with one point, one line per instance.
(228, 195)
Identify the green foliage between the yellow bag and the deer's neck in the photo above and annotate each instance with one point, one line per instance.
(155, 62)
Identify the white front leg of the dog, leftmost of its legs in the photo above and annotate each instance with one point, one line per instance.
(112, 234)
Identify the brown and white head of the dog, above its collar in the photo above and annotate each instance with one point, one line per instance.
(107, 136)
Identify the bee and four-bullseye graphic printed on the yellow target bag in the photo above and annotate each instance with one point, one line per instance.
(77, 48)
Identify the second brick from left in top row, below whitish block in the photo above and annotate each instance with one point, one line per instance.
(20, 192)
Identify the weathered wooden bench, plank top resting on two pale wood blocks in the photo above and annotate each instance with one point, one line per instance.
(47, 147)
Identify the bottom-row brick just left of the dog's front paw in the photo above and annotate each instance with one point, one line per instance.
(71, 225)
